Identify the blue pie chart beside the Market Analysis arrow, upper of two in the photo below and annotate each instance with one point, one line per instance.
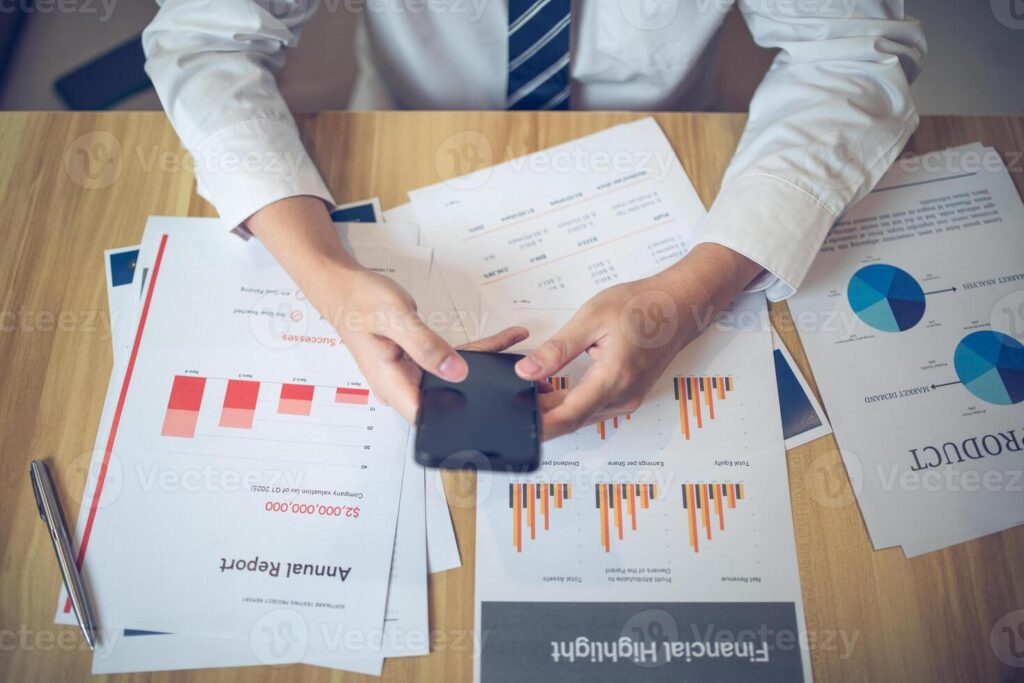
(886, 298)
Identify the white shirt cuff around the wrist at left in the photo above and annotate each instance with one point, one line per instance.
(249, 165)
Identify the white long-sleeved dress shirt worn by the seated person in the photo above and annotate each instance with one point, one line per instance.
(831, 116)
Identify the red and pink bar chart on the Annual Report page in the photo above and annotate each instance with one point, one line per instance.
(237, 407)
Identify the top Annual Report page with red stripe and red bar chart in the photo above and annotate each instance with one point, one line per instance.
(242, 460)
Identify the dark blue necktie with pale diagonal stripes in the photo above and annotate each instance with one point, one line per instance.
(539, 55)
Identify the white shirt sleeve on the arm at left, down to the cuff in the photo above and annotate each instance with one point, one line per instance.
(214, 66)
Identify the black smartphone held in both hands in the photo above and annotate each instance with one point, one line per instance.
(490, 421)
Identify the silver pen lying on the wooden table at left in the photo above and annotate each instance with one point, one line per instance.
(53, 515)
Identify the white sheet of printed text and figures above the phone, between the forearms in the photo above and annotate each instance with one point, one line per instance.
(538, 236)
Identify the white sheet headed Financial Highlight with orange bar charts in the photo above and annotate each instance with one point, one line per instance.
(616, 558)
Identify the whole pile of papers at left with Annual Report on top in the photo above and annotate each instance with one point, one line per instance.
(249, 501)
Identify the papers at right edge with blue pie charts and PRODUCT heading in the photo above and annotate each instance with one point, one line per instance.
(913, 318)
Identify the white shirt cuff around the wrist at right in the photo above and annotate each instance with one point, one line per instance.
(774, 223)
